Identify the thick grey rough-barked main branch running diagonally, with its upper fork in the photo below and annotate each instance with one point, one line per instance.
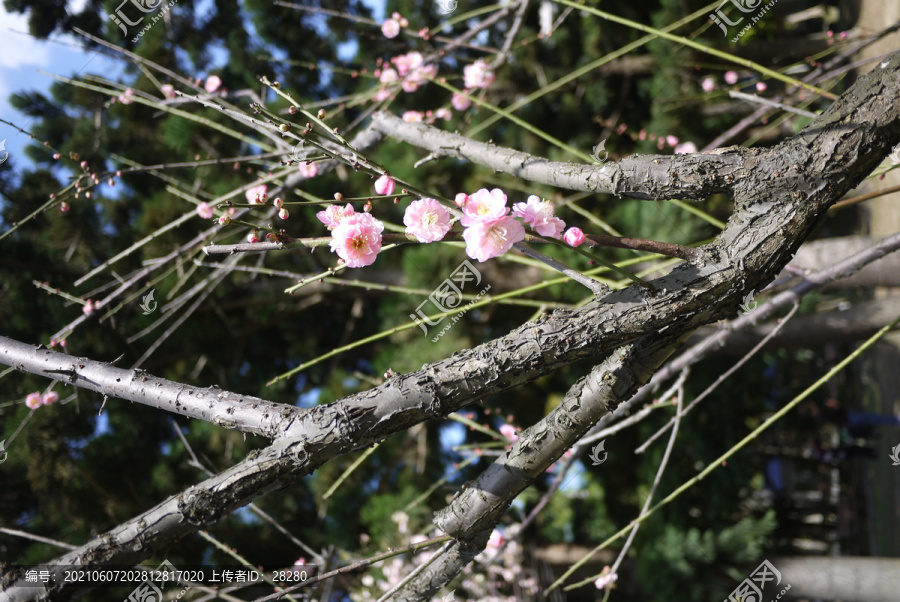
(780, 194)
